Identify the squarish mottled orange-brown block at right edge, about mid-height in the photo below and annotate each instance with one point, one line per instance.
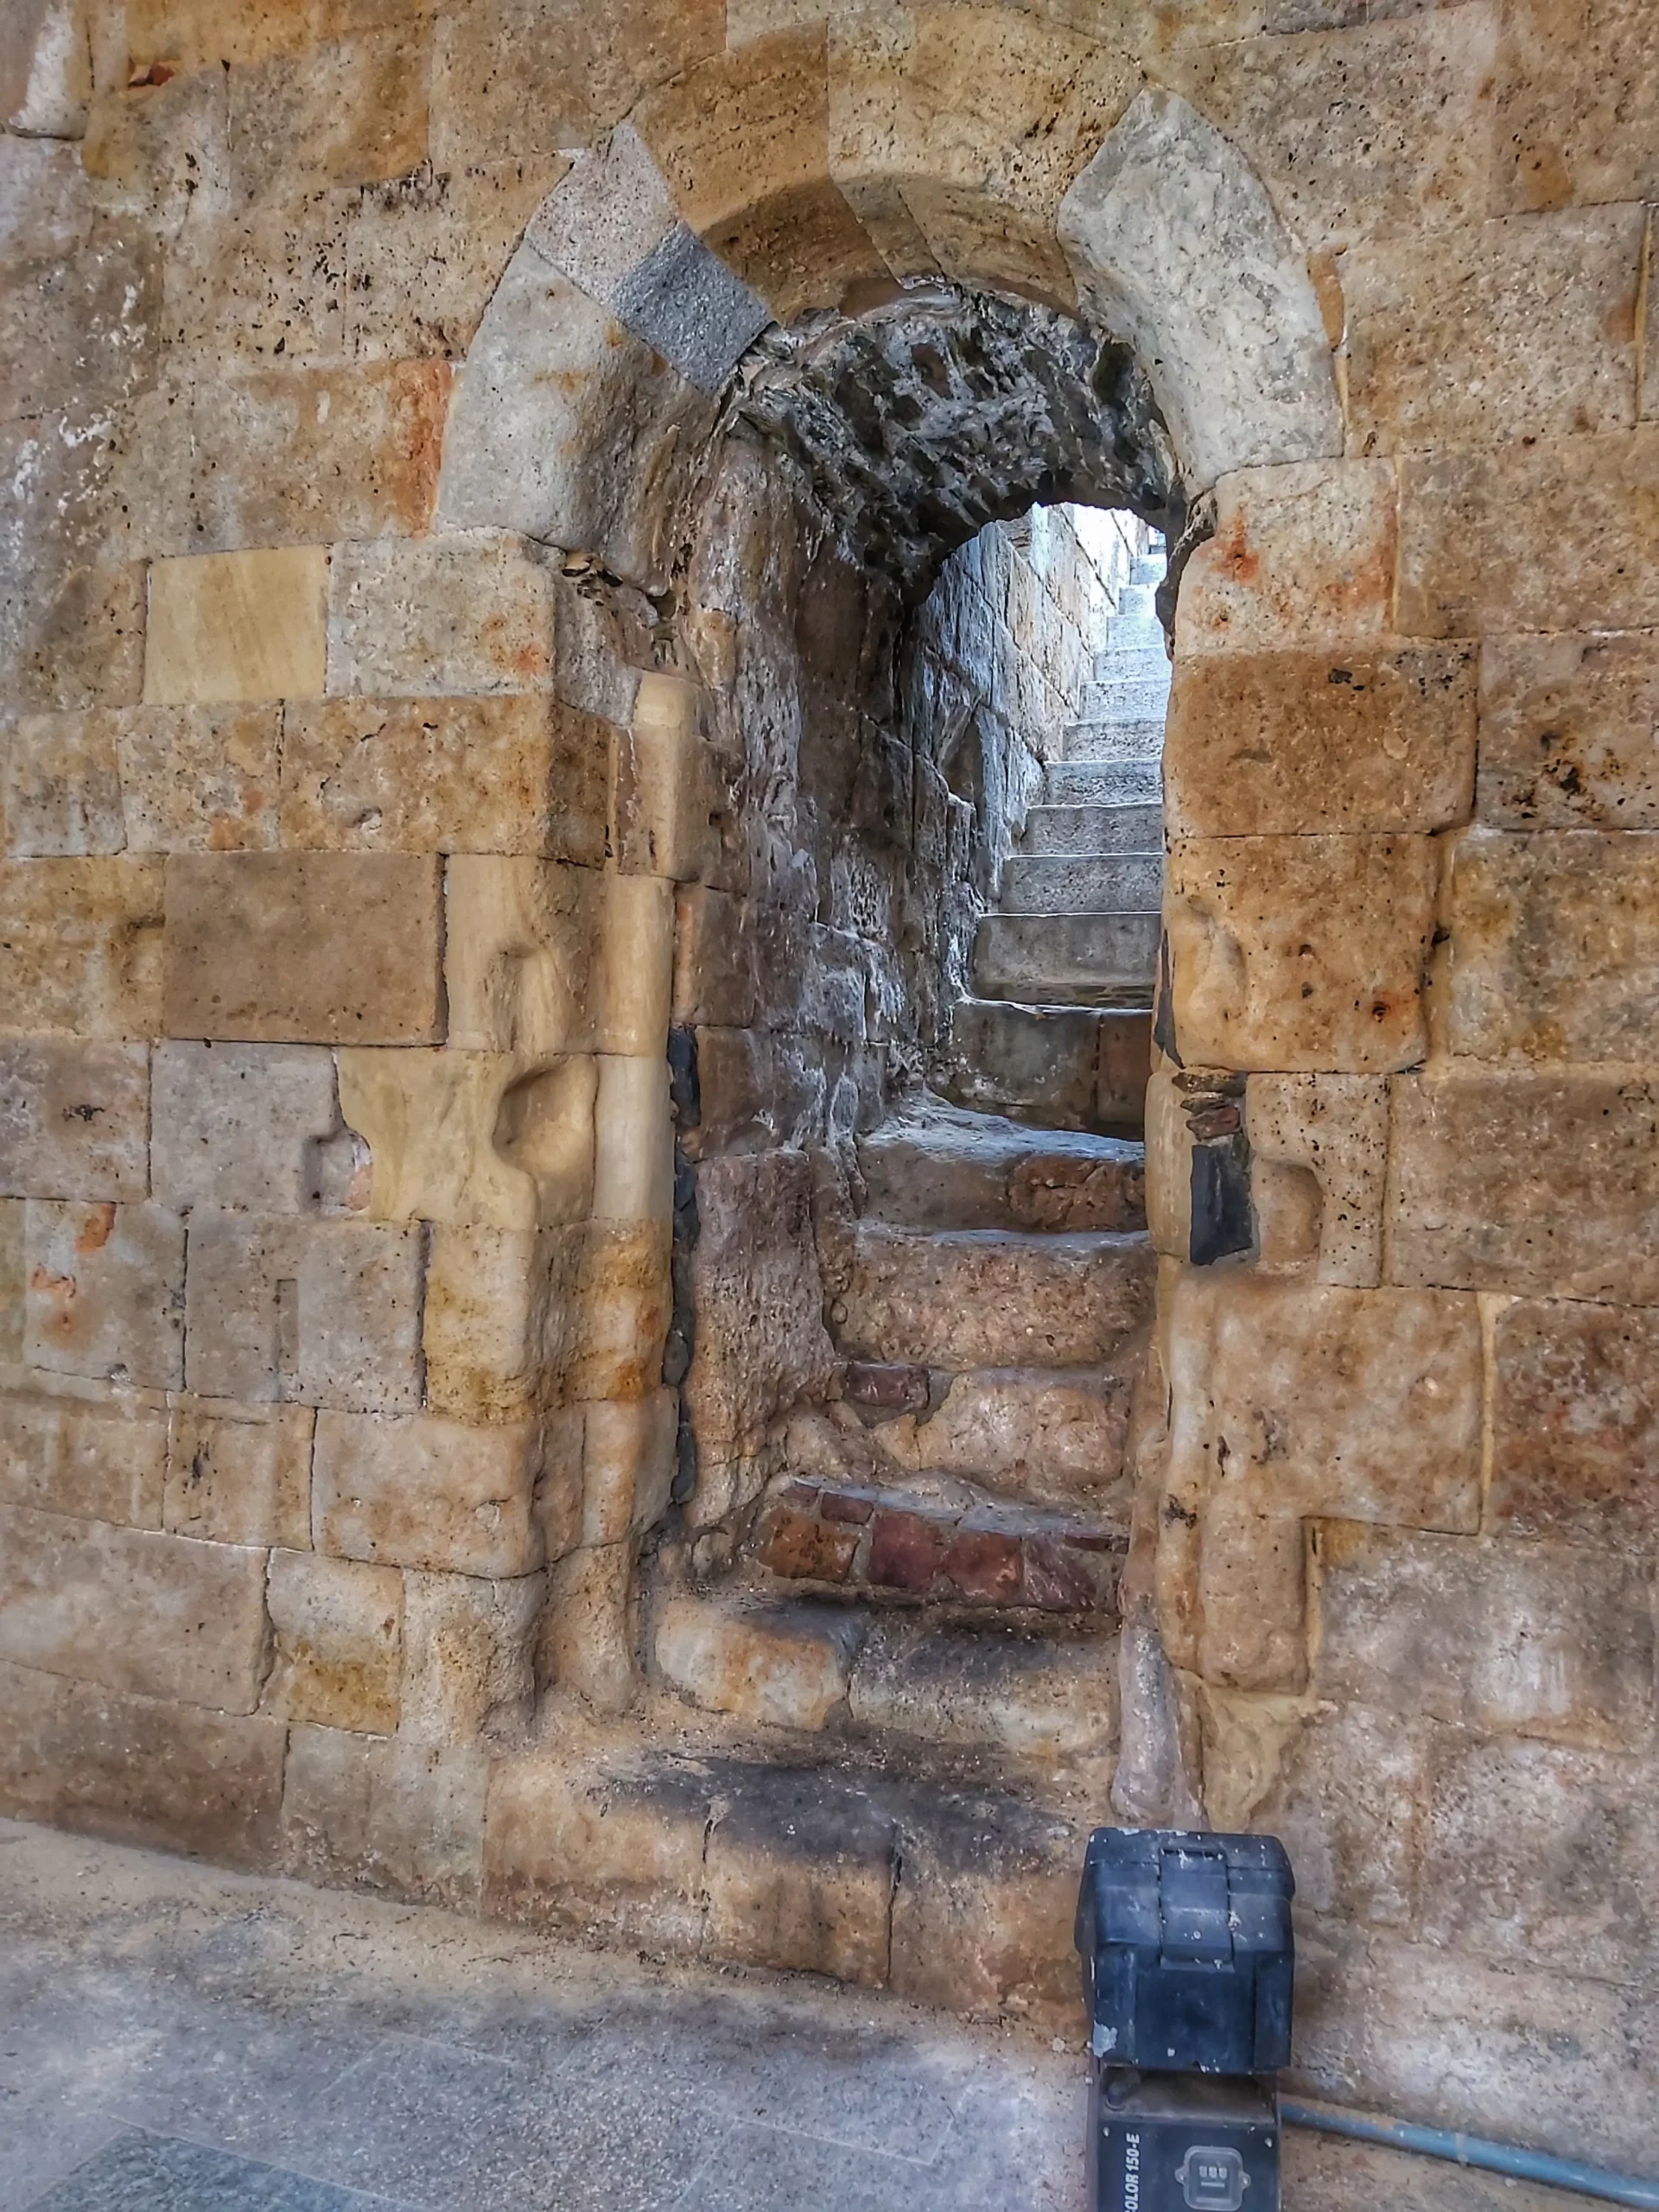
(1556, 946)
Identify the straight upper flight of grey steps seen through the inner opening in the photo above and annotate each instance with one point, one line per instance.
(1063, 972)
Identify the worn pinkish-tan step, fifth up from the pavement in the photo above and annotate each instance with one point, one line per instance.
(992, 1297)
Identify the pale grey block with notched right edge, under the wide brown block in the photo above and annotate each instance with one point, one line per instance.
(244, 1125)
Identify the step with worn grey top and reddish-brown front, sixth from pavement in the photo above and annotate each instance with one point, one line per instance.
(941, 1167)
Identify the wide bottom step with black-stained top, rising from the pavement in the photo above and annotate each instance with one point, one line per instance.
(957, 1899)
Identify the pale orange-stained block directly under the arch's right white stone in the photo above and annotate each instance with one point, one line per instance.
(1302, 559)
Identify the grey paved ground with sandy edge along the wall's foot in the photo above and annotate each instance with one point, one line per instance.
(182, 2041)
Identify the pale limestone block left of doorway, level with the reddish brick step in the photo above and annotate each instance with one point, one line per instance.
(426, 1492)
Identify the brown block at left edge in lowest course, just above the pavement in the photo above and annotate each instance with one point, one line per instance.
(140, 1771)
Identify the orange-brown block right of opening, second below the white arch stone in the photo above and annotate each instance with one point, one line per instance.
(1291, 744)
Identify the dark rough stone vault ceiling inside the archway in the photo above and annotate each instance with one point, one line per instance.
(943, 410)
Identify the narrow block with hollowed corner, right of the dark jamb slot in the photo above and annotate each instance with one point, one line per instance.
(1333, 1129)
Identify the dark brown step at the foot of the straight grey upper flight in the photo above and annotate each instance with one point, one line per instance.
(1074, 1067)
